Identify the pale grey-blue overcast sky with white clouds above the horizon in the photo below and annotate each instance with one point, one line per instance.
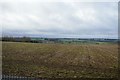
(60, 19)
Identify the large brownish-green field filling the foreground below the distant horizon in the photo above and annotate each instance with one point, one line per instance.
(60, 60)
